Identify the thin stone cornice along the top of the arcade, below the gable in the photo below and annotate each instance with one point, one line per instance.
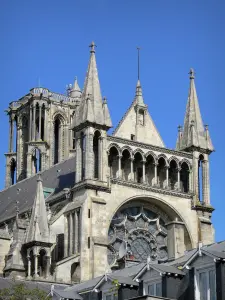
(149, 147)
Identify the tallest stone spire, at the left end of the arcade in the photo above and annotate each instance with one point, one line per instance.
(92, 109)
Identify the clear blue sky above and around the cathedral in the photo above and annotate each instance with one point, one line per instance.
(49, 40)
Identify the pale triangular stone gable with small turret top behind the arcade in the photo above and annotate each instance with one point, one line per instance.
(138, 126)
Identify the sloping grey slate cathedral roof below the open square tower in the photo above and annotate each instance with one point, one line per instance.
(57, 177)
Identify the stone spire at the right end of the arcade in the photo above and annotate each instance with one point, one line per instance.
(194, 133)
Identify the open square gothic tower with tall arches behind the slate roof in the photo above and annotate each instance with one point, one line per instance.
(39, 132)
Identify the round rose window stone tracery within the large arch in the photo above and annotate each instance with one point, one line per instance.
(142, 231)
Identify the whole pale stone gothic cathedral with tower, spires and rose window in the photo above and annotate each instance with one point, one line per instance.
(77, 201)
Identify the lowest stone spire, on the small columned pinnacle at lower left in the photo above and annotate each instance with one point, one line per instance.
(38, 227)
